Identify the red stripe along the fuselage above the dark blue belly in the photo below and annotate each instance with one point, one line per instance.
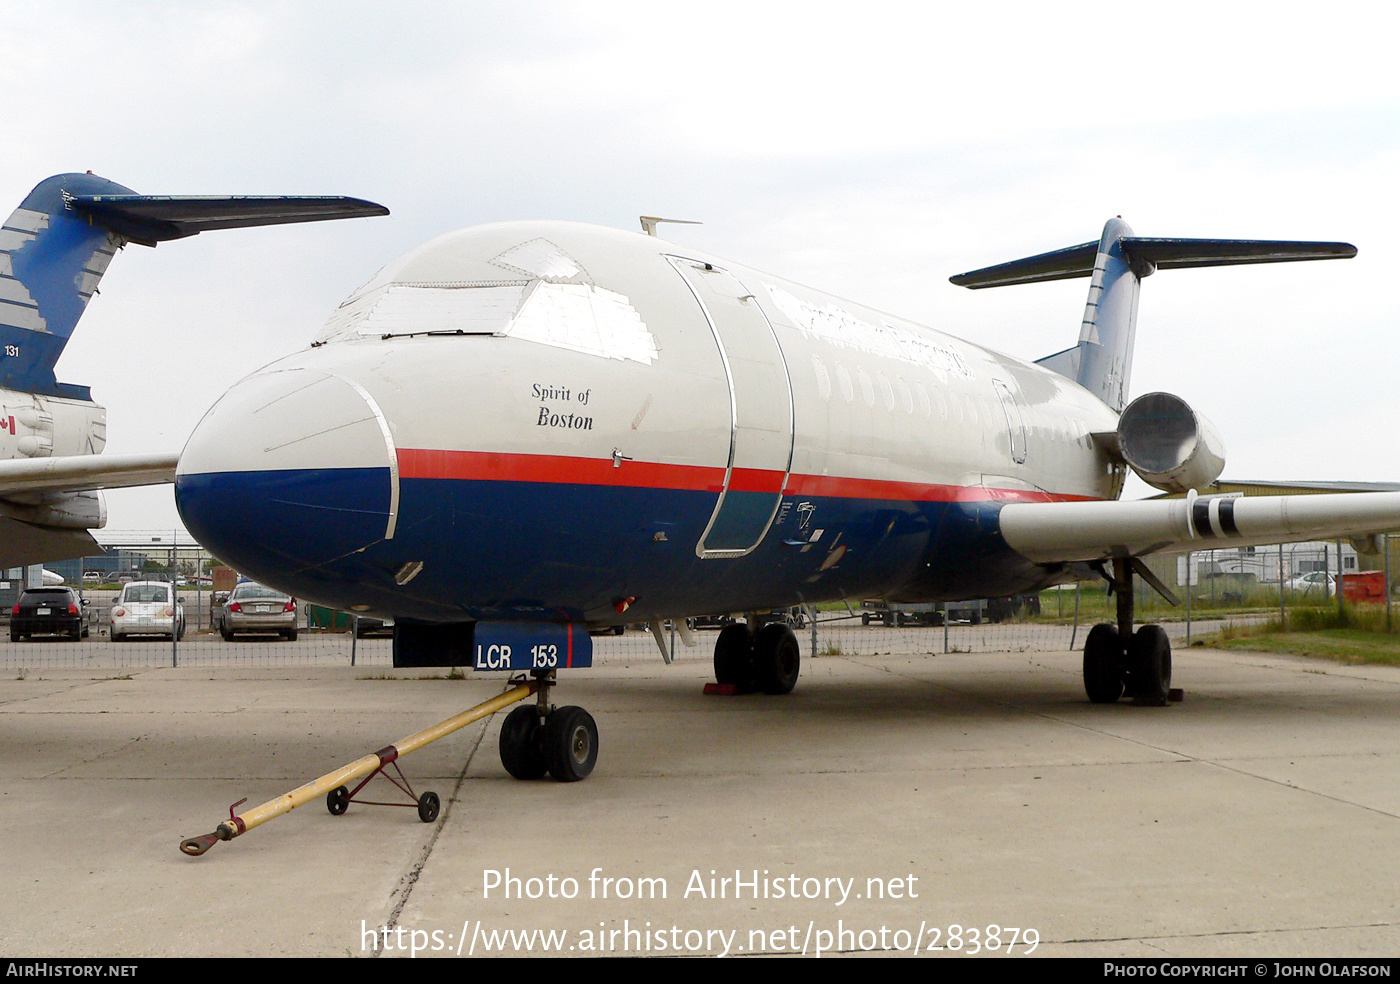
(496, 467)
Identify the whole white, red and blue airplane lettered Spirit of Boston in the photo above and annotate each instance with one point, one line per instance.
(520, 432)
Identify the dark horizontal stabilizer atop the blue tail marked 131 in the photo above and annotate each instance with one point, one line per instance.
(150, 219)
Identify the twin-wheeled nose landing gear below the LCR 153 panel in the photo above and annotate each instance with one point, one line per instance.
(538, 738)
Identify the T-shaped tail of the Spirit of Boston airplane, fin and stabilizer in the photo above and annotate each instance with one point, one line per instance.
(1118, 262)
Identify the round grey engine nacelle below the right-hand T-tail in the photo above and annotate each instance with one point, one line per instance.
(1170, 446)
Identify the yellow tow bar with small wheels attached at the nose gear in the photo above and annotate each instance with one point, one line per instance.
(335, 786)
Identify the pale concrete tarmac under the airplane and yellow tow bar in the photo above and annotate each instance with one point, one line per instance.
(947, 804)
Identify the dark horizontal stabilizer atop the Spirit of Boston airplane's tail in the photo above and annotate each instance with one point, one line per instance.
(1147, 255)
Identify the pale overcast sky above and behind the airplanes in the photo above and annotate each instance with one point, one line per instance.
(870, 150)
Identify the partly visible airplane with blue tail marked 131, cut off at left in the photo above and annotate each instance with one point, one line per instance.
(54, 251)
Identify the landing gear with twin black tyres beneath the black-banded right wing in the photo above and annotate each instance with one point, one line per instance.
(1119, 661)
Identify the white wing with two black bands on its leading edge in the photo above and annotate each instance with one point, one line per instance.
(1066, 533)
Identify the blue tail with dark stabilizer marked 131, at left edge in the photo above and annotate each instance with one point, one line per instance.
(57, 246)
